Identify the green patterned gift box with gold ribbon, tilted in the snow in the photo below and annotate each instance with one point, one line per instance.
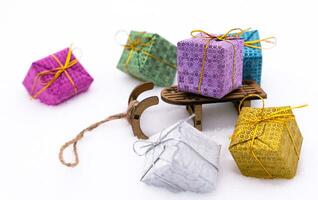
(142, 65)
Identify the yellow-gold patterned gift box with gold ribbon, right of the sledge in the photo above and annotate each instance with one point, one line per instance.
(266, 142)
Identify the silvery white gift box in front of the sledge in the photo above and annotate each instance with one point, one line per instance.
(187, 161)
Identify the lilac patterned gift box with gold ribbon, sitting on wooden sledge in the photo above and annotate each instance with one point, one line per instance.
(210, 65)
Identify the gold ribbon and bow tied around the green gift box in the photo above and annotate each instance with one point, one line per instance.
(136, 46)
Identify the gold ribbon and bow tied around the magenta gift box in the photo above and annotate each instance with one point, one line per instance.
(56, 72)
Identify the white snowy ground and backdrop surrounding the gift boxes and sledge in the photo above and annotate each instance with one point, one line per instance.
(31, 133)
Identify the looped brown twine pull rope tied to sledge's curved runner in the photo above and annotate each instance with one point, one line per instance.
(128, 115)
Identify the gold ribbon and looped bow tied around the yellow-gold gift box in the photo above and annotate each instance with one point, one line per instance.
(279, 116)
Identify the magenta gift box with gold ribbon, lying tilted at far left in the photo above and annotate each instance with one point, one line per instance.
(56, 78)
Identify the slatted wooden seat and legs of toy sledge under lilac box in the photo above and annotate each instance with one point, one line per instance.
(193, 102)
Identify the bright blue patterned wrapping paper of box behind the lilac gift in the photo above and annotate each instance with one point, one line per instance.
(252, 61)
